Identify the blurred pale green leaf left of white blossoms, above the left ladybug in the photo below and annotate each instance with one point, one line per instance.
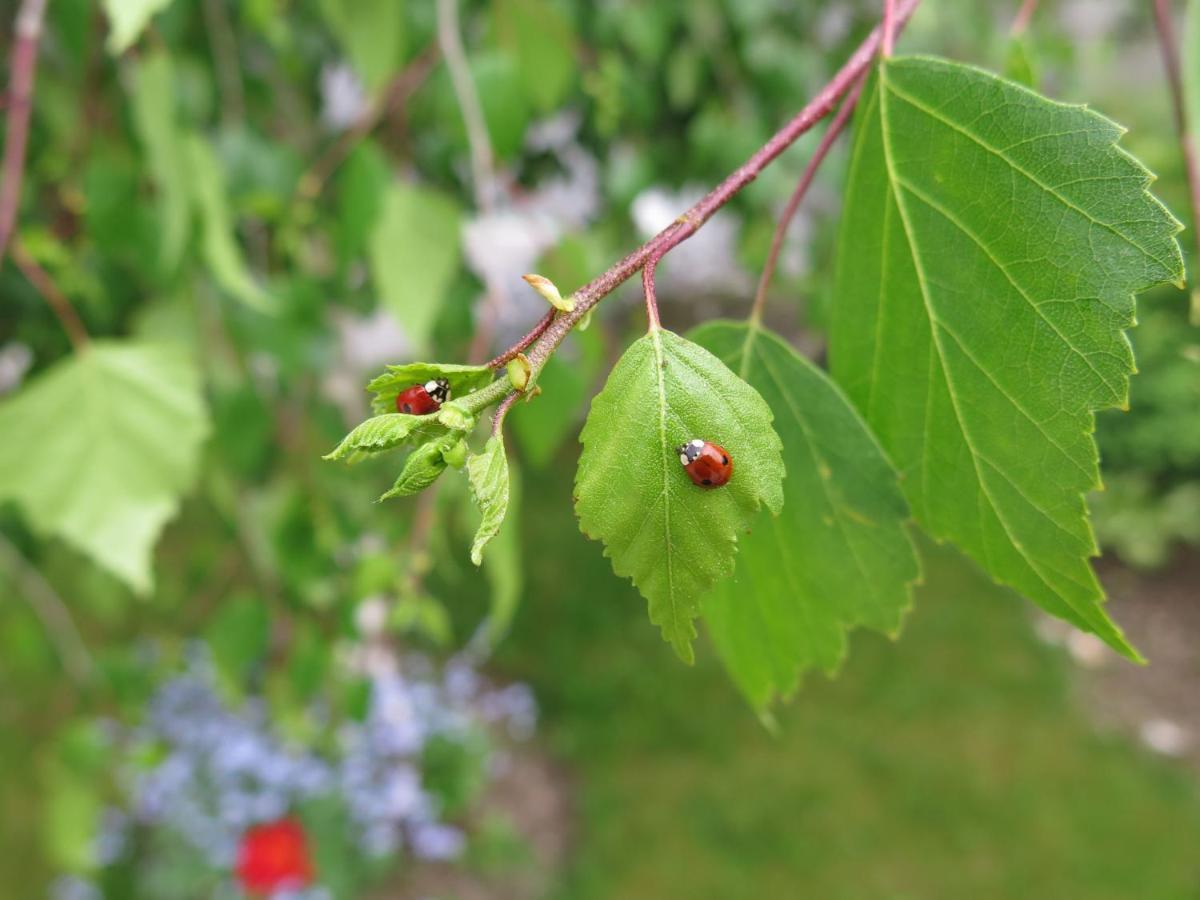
(415, 255)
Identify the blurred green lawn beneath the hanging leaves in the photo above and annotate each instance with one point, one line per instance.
(951, 764)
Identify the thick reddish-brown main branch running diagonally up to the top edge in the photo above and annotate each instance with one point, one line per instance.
(682, 229)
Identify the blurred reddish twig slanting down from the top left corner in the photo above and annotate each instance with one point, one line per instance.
(27, 37)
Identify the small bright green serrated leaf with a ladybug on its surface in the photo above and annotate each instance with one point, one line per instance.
(673, 538)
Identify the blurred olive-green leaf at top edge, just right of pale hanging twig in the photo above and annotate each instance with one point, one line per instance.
(542, 40)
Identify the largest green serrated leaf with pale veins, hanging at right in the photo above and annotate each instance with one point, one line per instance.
(991, 249)
